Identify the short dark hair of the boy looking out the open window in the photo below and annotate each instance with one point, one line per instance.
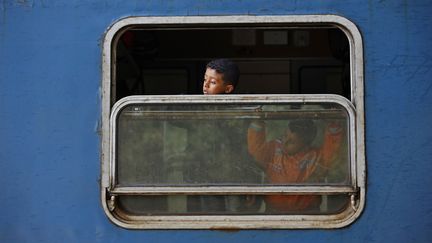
(226, 67)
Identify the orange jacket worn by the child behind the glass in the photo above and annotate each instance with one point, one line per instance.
(301, 168)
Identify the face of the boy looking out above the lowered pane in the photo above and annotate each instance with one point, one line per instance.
(214, 83)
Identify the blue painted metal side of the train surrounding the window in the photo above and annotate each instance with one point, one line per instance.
(50, 58)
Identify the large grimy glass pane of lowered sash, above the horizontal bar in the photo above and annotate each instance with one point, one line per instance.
(183, 145)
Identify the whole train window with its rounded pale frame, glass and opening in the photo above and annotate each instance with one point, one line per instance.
(285, 151)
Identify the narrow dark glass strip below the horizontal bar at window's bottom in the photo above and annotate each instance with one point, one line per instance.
(227, 205)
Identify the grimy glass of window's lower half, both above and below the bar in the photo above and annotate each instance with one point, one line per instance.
(233, 145)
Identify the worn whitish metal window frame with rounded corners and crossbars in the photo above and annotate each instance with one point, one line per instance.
(355, 108)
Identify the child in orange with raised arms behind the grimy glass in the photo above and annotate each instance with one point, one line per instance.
(294, 161)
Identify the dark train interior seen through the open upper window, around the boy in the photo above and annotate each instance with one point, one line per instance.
(272, 60)
